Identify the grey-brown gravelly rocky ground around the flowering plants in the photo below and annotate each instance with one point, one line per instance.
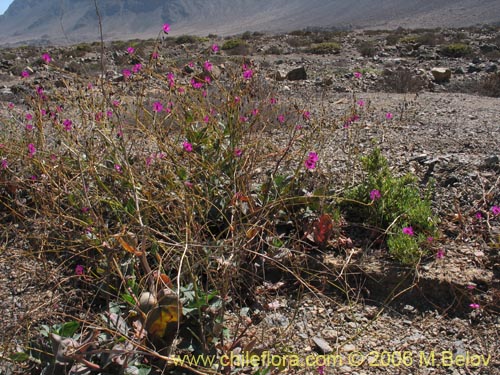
(448, 128)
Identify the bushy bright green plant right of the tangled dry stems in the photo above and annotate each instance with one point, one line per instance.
(396, 206)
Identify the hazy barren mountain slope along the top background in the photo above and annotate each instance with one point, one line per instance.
(64, 21)
